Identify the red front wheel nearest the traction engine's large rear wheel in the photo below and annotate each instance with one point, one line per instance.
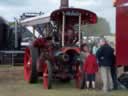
(47, 75)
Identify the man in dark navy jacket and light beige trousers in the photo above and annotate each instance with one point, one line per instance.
(105, 59)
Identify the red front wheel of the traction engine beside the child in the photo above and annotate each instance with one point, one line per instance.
(80, 78)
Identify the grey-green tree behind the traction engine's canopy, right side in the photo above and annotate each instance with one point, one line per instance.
(101, 28)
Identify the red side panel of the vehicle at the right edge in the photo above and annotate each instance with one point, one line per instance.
(122, 35)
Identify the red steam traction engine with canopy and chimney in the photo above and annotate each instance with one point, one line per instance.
(55, 54)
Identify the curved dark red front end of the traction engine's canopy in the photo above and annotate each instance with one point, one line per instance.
(86, 16)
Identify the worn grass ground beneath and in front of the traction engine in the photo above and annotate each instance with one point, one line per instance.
(12, 84)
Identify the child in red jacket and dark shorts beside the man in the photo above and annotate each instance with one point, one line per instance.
(90, 67)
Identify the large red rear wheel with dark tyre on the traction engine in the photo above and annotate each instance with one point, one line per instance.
(30, 59)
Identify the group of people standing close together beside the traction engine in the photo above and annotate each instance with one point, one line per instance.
(99, 58)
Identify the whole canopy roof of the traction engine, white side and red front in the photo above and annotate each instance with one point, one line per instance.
(72, 14)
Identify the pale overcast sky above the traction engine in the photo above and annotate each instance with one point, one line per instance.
(14, 8)
